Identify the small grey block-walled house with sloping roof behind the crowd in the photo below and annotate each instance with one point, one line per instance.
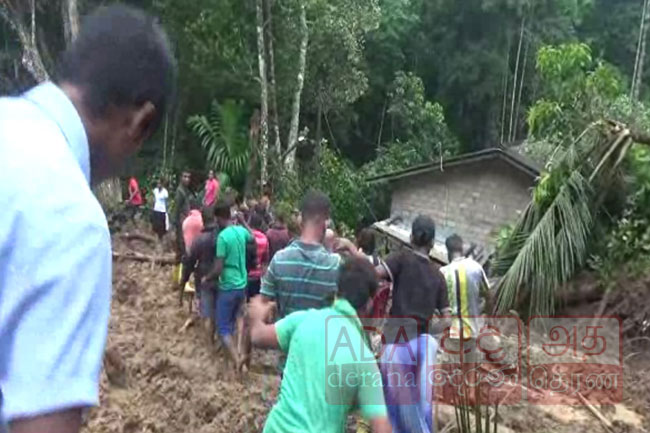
(473, 195)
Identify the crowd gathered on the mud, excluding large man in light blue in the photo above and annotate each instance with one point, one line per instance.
(258, 283)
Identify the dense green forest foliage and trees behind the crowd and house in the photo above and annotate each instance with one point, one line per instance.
(355, 88)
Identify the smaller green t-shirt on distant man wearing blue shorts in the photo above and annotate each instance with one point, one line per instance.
(231, 247)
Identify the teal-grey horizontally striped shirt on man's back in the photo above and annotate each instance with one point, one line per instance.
(301, 276)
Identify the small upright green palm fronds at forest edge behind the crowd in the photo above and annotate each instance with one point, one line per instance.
(223, 134)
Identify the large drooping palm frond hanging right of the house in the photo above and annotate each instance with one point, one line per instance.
(551, 240)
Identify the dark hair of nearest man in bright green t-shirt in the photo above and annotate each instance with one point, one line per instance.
(357, 281)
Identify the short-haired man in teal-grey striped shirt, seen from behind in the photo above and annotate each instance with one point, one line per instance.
(303, 275)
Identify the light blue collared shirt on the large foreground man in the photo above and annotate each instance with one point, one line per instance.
(55, 259)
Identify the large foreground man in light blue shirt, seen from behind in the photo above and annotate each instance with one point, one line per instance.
(114, 85)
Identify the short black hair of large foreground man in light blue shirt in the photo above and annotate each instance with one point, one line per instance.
(121, 57)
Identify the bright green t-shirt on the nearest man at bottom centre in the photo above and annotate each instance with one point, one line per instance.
(330, 370)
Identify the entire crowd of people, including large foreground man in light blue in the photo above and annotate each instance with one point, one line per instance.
(296, 277)
